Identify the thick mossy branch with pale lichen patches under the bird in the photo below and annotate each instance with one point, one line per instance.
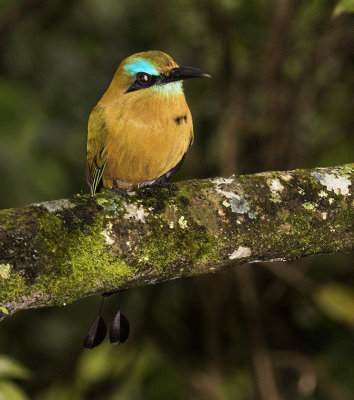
(56, 252)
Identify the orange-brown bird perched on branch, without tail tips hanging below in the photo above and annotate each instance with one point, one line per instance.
(141, 128)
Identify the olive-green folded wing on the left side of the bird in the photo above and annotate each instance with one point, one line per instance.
(96, 156)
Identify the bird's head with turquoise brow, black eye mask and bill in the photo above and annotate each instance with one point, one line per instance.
(154, 71)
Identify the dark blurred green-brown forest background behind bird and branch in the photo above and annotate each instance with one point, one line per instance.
(281, 97)
